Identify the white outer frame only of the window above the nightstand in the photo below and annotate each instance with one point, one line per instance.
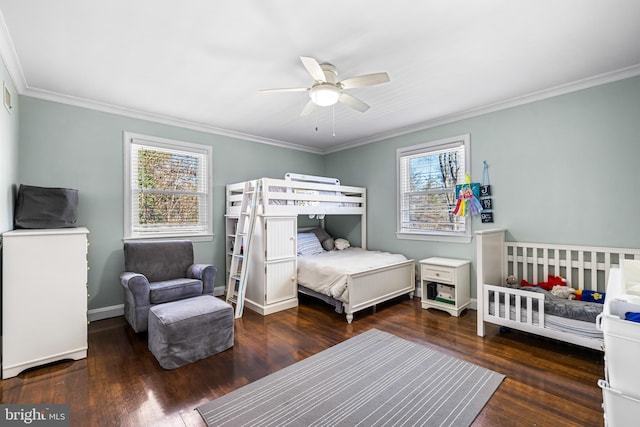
(426, 149)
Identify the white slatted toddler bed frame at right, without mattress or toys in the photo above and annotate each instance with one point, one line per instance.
(584, 267)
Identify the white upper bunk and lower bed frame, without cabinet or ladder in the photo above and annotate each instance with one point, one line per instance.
(309, 197)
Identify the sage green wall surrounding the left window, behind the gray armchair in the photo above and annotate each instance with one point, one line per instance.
(67, 146)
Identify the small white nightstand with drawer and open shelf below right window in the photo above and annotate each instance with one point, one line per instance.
(445, 284)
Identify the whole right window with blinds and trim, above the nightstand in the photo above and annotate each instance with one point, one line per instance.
(427, 177)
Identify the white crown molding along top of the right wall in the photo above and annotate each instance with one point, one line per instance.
(589, 82)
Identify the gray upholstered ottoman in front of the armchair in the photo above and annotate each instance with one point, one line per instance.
(184, 331)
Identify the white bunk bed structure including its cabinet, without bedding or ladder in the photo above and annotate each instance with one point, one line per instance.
(281, 201)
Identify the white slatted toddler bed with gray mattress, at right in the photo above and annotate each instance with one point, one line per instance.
(531, 308)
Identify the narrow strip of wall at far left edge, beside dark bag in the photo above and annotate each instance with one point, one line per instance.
(8, 152)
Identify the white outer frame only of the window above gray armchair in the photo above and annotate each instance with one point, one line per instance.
(129, 192)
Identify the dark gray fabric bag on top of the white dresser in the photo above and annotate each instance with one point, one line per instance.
(43, 207)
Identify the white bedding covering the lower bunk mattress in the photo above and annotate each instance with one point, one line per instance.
(327, 273)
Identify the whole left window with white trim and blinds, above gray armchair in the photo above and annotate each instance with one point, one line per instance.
(167, 188)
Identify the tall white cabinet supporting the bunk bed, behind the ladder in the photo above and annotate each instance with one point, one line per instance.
(272, 277)
